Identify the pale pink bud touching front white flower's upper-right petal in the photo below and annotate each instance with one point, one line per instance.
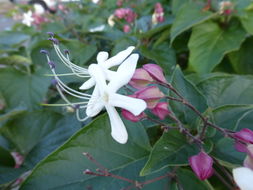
(140, 79)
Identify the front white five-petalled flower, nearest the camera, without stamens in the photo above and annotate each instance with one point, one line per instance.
(105, 96)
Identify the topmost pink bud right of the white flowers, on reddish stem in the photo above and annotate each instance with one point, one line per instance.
(155, 71)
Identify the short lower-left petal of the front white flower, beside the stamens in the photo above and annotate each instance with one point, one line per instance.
(95, 104)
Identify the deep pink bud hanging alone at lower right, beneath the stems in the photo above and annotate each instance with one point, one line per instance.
(202, 164)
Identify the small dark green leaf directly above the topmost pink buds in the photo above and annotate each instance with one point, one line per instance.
(163, 55)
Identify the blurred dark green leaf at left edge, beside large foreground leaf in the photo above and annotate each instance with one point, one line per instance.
(27, 129)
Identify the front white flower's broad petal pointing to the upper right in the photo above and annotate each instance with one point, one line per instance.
(124, 73)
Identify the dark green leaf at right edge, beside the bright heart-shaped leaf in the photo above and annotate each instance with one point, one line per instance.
(242, 59)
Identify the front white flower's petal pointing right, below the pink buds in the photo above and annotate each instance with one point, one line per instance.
(133, 105)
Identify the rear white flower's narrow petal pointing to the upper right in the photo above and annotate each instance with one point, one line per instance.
(119, 58)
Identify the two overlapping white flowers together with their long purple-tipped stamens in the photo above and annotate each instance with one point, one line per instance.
(106, 84)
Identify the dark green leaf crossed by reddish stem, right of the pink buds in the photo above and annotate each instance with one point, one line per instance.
(190, 93)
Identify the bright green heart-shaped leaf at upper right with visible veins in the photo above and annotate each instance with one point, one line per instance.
(209, 43)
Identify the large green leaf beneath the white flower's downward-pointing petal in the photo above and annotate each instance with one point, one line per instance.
(68, 162)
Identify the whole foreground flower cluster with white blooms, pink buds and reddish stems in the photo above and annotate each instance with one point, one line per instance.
(147, 101)
